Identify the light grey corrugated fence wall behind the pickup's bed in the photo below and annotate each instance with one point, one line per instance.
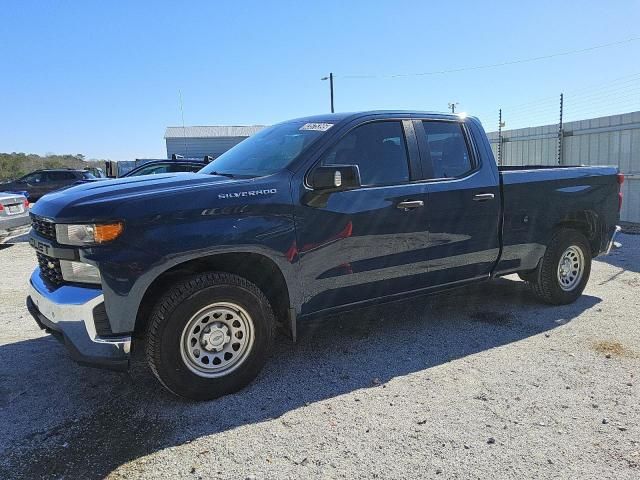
(612, 140)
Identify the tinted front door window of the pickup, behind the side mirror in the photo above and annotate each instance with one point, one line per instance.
(378, 148)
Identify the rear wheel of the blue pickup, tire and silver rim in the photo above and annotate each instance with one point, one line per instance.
(564, 270)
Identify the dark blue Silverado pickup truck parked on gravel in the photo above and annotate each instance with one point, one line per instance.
(307, 217)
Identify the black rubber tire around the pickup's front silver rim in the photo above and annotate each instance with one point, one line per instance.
(178, 307)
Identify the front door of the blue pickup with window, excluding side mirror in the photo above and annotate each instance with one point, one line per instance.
(366, 243)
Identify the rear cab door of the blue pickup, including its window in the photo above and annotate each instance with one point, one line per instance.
(463, 203)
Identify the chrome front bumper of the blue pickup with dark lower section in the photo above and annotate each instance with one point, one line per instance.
(67, 313)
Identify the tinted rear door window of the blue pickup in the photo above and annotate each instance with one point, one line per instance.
(444, 152)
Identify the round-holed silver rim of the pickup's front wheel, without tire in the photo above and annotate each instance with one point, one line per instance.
(217, 339)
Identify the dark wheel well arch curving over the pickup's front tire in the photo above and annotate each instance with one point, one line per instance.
(256, 268)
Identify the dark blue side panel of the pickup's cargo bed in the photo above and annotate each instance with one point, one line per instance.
(536, 198)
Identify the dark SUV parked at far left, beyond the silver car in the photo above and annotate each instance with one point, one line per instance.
(38, 183)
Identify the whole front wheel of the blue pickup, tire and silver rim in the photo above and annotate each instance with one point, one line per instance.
(209, 335)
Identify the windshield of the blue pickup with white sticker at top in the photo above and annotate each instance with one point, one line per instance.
(269, 150)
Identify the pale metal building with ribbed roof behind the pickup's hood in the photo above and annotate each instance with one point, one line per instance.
(214, 140)
